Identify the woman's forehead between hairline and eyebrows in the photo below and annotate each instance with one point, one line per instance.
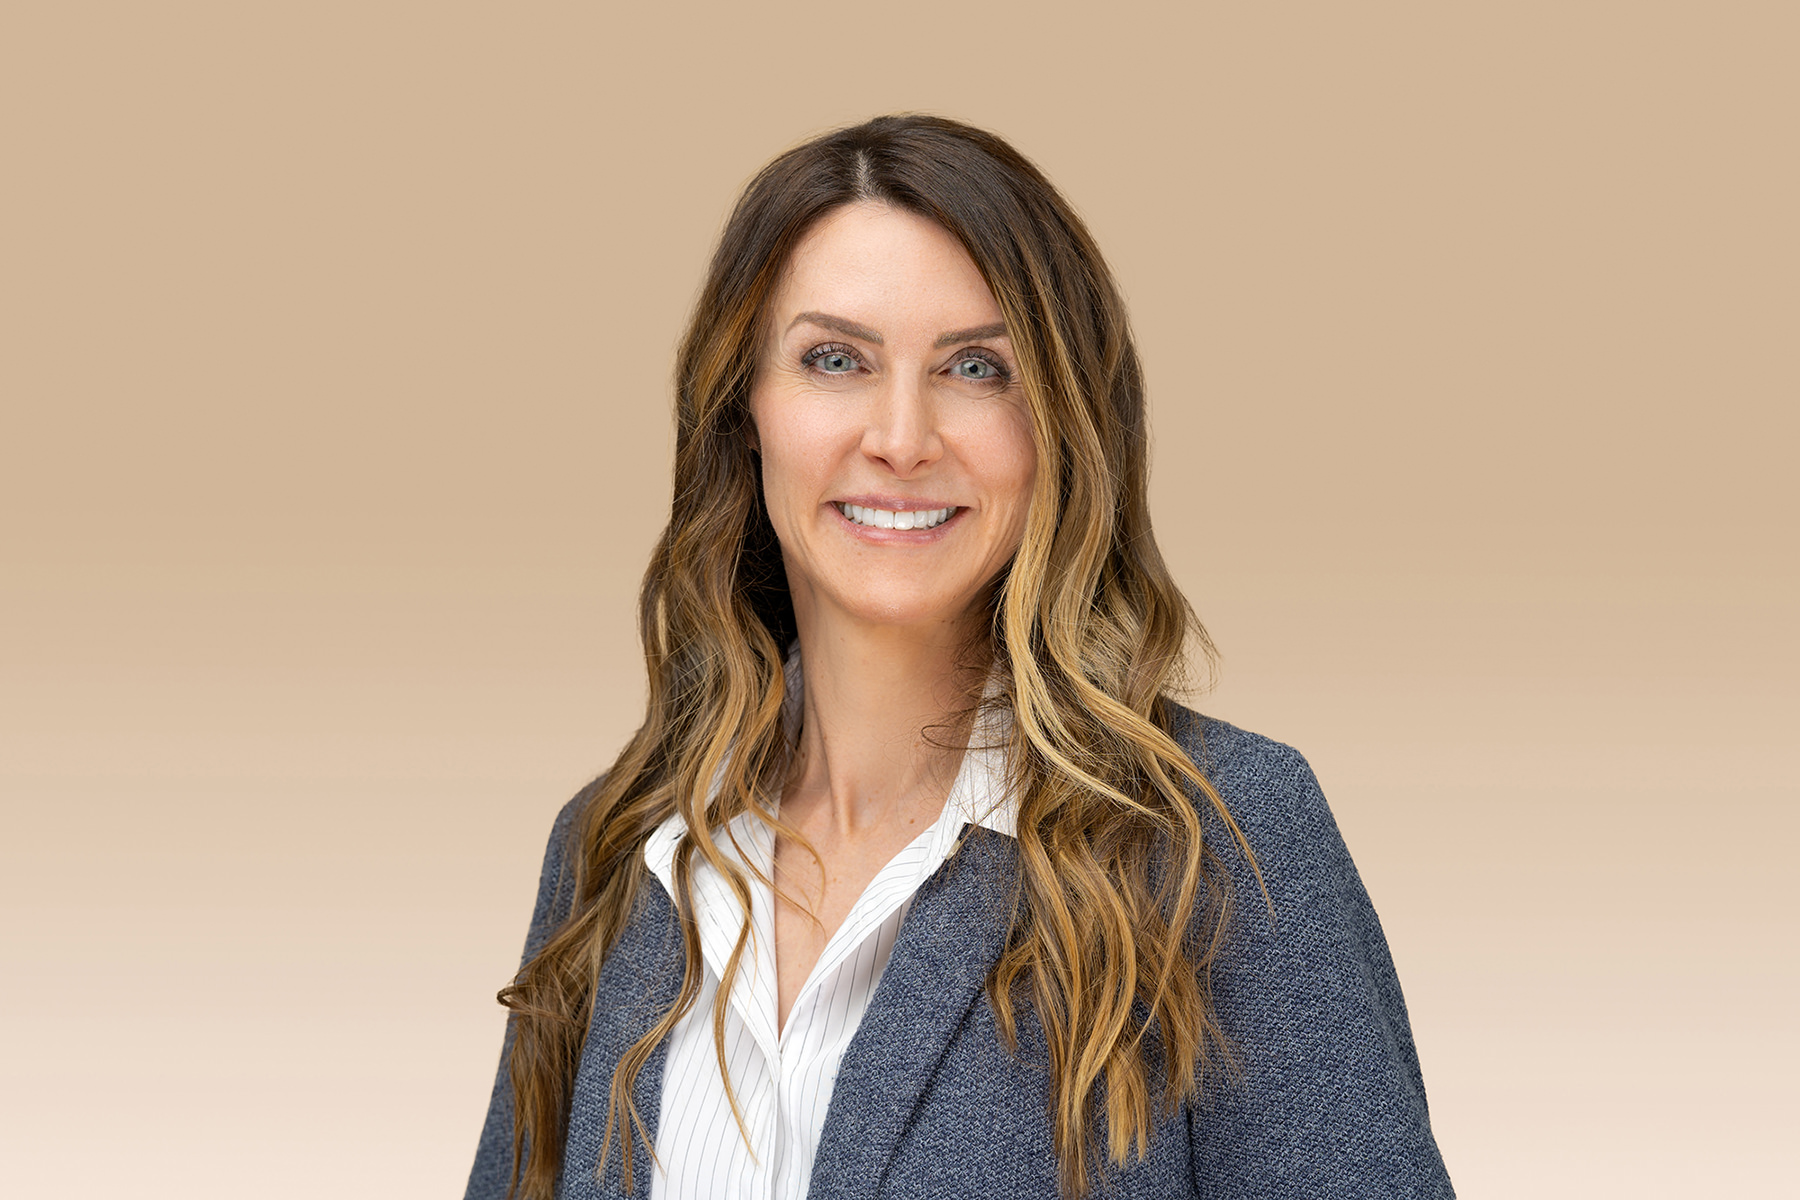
(886, 269)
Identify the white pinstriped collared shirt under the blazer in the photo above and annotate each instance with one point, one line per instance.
(784, 1080)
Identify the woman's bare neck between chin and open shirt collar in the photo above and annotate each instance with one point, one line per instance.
(886, 715)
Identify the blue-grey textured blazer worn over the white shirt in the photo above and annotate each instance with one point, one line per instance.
(930, 1106)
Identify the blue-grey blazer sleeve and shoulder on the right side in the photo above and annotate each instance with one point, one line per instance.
(1326, 1100)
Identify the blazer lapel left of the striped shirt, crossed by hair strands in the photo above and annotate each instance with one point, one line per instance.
(636, 985)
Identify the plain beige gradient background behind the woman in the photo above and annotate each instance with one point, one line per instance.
(334, 434)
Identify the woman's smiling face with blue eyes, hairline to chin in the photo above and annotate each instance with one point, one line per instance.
(894, 431)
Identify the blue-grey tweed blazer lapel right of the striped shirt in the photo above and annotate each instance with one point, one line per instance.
(937, 971)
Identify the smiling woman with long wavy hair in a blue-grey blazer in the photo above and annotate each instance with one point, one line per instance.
(915, 882)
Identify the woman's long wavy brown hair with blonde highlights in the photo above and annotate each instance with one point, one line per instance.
(1120, 904)
